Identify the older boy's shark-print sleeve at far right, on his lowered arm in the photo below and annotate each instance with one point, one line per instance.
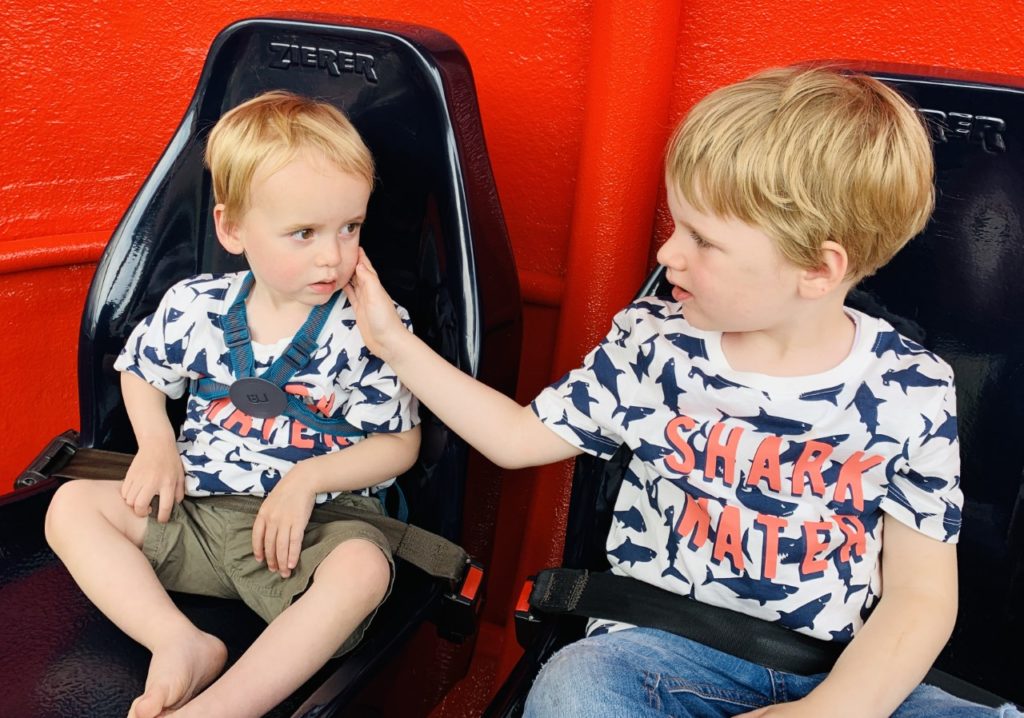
(925, 492)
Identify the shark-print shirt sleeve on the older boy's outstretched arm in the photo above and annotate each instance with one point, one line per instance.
(587, 406)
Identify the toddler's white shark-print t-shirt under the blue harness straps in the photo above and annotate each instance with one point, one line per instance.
(226, 451)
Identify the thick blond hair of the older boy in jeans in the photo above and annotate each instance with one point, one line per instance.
(809, 155)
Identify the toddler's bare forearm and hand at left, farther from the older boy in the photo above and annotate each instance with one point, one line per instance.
(156, 470)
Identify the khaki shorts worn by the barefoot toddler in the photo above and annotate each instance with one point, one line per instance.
(206, 548)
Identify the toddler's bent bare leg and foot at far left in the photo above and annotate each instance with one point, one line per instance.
(100, 540)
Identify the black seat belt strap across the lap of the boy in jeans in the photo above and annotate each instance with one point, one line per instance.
(605, 596)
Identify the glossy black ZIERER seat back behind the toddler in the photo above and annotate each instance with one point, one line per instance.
(434, 229)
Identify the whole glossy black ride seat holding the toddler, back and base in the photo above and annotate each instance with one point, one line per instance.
(437, 235)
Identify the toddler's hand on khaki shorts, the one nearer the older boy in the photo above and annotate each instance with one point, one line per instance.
(282, 522)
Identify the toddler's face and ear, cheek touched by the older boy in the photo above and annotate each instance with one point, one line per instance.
(302, 233)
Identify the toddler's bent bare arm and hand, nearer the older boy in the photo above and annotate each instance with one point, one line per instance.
(285, 513)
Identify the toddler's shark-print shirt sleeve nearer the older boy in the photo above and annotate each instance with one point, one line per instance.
(379, 403)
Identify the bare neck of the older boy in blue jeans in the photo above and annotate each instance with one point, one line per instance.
(802, 346)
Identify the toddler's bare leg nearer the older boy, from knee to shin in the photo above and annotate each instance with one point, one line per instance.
(348, 585)
